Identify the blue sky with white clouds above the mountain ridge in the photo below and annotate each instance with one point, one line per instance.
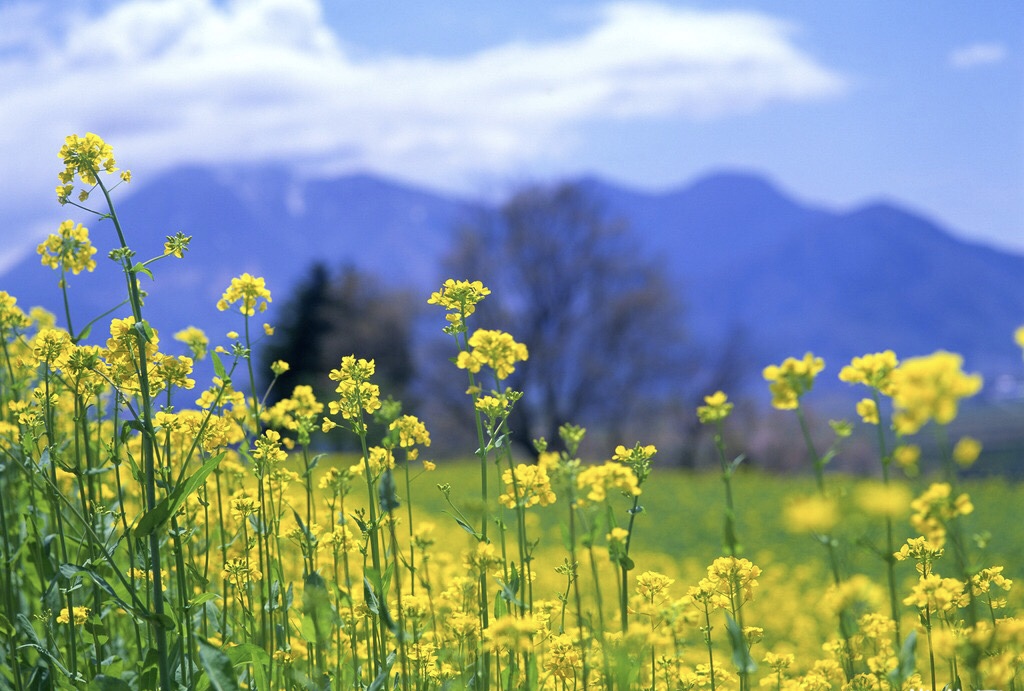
(839, 103)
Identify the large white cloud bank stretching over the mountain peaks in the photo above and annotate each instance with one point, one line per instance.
(177, 81)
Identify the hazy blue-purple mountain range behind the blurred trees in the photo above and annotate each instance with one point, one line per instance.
(749, 261)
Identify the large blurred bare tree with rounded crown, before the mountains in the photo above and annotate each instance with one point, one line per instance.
(603, 326)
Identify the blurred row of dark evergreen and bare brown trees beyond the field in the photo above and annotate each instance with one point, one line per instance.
(604, 326)
